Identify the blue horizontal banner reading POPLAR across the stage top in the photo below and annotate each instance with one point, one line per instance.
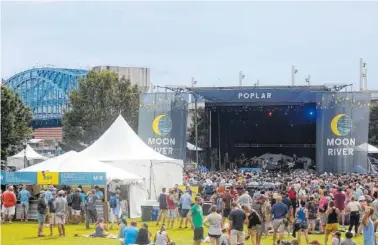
(258, 95)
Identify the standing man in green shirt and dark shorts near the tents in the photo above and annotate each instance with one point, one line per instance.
(195, 216)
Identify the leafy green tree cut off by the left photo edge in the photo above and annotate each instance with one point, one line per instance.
(15, 121)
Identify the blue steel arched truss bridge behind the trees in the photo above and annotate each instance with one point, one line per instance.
(46, 91)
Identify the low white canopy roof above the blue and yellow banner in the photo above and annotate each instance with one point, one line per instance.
(75, 162)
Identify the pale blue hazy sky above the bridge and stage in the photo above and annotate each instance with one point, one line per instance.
(210, 41)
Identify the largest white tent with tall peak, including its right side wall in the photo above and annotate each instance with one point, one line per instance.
(121, 147)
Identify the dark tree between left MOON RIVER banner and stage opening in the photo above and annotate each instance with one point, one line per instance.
(201, 127)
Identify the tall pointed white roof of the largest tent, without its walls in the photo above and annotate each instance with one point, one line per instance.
(120, 142)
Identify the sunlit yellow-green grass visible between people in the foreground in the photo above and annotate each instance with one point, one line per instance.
(24, 234)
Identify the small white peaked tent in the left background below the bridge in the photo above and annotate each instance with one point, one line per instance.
(18, 160)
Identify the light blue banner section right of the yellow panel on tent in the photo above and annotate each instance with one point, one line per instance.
(82, 178)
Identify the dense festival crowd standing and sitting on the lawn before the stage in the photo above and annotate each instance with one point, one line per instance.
(238, 206)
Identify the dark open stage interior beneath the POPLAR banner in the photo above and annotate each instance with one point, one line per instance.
(246, 132)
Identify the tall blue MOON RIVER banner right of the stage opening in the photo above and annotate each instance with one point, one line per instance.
(342, 126)
